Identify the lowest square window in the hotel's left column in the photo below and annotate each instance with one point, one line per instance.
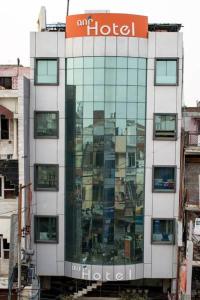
(46, 229)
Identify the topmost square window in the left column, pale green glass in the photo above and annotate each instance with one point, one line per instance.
(46, 71)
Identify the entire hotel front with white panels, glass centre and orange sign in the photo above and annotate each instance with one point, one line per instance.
(105, 122)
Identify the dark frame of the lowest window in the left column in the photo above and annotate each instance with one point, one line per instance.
(39, 241)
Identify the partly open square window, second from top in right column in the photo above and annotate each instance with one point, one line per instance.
(165, 126)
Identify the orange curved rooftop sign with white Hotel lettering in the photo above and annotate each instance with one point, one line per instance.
(106, 24)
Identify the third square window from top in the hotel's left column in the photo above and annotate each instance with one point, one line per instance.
(46, 177)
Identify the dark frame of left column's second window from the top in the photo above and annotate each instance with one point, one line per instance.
(35, 124)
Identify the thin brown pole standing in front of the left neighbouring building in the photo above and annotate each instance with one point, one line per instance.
(19, 240)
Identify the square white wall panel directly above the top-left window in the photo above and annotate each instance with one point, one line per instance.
(47, 44)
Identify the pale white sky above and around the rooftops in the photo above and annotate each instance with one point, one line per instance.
(19, 17)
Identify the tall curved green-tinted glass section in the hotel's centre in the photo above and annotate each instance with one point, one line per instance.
(105, 159)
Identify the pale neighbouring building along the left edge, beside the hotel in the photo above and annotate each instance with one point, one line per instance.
(14, 103)
